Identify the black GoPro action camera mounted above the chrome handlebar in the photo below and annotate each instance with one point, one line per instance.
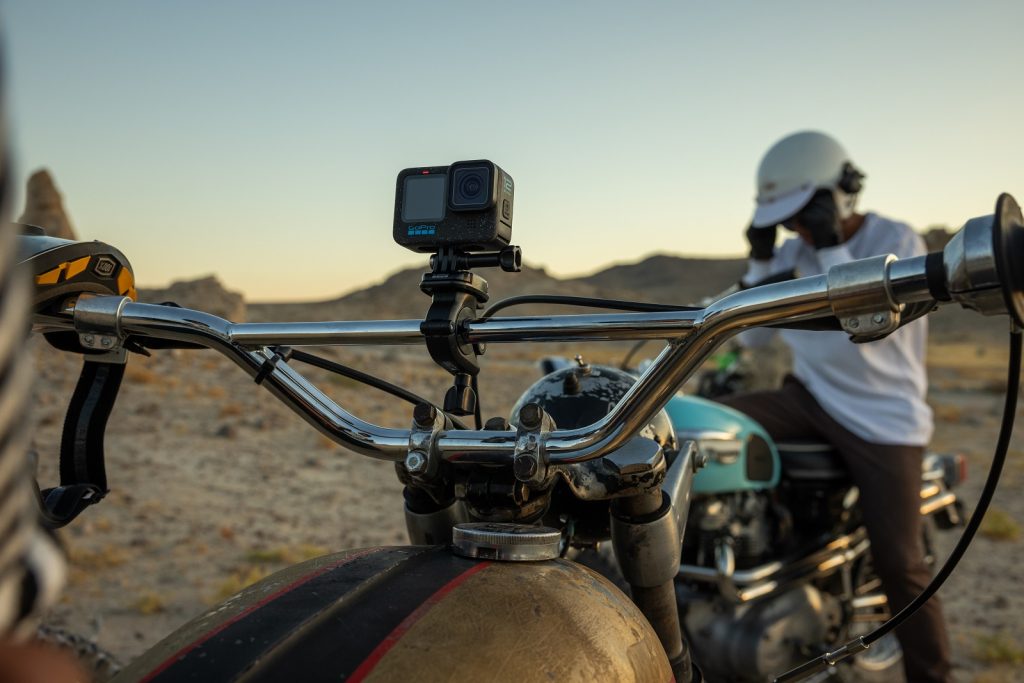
(466, 207)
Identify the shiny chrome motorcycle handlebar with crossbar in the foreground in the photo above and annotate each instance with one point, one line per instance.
(866, 296)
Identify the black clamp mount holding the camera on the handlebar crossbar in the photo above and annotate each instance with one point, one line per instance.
(457, 294)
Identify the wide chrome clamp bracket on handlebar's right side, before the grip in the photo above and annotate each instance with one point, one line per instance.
(862, 300)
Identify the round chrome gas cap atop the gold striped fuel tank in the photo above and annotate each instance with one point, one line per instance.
(507, 543)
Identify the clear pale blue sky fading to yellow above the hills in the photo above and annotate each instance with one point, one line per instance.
(261, 141)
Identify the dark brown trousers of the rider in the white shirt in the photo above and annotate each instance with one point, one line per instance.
(889, 480)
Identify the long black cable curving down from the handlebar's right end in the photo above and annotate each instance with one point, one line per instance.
(1002, 446)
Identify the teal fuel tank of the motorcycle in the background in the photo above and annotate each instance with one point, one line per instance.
(721, 433)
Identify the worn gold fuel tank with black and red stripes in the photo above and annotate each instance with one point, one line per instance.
(415, 614)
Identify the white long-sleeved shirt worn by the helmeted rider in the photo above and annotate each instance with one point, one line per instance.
(876, 391)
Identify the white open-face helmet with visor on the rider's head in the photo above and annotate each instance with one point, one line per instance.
(798, 166)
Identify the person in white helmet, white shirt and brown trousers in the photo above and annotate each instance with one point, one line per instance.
(866, 400)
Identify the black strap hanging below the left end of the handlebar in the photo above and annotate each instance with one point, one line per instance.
(83, 475)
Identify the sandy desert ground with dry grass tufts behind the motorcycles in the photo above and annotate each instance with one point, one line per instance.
(216, 485)
